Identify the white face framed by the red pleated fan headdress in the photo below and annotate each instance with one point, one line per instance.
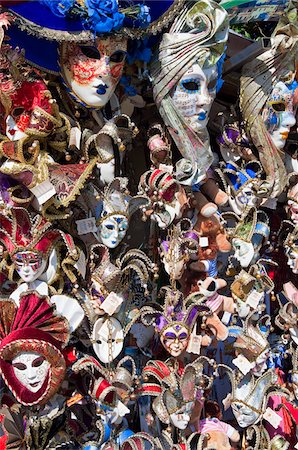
(31, 370)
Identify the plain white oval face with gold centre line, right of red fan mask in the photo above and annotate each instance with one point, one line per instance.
(108, 338)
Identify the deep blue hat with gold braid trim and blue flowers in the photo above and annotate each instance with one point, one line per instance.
(40, 26)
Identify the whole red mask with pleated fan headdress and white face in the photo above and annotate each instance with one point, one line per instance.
(32, 339)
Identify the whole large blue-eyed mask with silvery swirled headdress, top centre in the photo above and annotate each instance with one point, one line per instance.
(190, 80)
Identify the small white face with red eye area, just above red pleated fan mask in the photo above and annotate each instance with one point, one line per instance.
(29, 265)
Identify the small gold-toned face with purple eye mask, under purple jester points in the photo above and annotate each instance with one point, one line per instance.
(175, 339)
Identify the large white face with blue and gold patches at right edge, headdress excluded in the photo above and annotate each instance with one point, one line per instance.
(279, 113)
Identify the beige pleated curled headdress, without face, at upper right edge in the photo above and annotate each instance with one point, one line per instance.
(258, 77)
